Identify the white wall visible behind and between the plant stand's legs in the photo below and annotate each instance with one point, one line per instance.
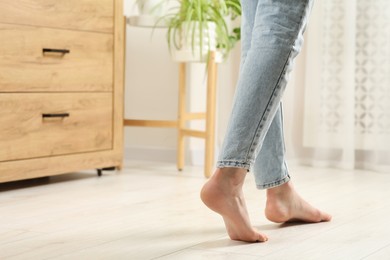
(152, 93)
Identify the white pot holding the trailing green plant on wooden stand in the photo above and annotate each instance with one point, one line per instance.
(190, 51)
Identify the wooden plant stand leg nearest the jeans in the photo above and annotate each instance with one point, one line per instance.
(210, 115)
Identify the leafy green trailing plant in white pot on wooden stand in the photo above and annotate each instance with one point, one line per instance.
(196, 27)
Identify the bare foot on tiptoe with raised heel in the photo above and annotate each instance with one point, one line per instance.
(223, 194)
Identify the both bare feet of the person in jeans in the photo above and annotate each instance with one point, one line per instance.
(223, 194)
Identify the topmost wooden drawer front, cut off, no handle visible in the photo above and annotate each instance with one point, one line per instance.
(88, 15)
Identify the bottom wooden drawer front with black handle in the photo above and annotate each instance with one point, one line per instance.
(40, 124)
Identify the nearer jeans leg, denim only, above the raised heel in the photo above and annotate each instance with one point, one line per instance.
(276, 40)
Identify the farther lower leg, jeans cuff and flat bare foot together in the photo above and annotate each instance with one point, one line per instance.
(270, 169)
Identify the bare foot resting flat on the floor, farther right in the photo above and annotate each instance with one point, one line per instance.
(285, 205)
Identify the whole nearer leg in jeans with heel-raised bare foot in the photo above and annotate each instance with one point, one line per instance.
(276, 40)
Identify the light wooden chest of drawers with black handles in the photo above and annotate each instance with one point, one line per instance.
(61, 86)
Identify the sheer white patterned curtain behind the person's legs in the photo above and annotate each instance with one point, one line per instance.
(337, 104)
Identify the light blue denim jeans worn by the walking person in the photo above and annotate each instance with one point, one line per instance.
(272, 36)
